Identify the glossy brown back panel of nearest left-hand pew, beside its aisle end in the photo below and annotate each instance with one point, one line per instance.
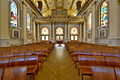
(16, 73)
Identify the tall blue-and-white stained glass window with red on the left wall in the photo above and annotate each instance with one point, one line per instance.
(14, 14)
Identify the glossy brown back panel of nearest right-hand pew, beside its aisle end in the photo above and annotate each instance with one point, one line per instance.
(103, 73)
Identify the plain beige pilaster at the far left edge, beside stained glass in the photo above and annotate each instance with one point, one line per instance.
(4, 23)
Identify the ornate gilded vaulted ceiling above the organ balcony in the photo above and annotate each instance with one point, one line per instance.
(49, 5)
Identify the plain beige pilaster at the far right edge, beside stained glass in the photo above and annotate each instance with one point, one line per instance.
(114, 23)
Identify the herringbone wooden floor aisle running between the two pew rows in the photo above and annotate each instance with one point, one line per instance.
(59, 66)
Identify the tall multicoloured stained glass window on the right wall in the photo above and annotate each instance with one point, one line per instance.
(104, 13)
